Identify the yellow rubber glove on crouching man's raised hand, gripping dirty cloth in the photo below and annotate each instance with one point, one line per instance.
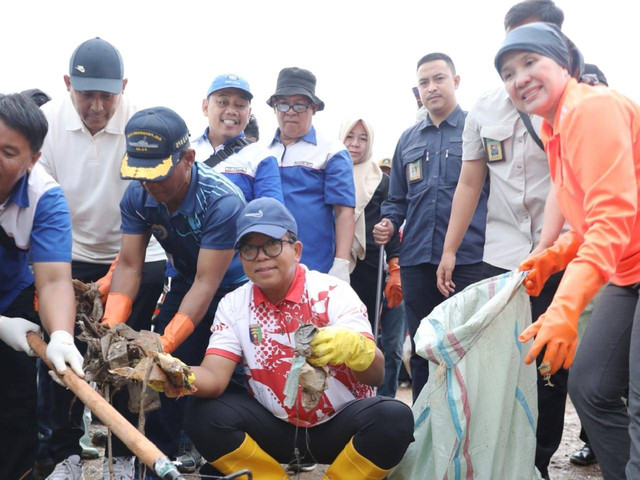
(338, 345)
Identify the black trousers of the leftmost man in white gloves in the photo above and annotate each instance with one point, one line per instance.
(18, 426)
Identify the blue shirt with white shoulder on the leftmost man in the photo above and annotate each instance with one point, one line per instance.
(36, 227)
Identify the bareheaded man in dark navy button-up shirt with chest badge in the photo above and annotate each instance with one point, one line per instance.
(424, 174)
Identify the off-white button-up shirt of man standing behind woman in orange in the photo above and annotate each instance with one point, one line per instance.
(519, 181)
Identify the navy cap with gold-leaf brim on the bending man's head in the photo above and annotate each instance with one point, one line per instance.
(155, 138)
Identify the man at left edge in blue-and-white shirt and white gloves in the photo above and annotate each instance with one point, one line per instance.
(35, 226)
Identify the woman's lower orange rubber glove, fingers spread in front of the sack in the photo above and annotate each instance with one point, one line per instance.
(557, 328)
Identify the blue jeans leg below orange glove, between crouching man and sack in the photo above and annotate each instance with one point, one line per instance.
(391, 340)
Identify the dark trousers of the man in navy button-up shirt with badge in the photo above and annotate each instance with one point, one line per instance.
(421, 295)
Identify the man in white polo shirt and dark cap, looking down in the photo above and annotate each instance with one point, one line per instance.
(82, 152)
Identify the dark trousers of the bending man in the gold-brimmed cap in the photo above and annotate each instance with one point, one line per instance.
(163, 426)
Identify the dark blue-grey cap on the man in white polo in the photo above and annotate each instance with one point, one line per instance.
(96, 65)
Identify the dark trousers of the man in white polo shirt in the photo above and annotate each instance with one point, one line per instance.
(66, 414)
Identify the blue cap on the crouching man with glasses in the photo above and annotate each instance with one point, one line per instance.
(267, 216)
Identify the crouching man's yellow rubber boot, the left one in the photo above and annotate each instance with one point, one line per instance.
(249, 456)
